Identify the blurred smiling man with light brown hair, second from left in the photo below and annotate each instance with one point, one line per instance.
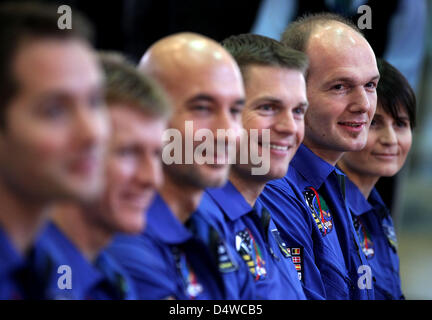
(69, 253)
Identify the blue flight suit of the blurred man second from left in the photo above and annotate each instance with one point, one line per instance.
(57, 257)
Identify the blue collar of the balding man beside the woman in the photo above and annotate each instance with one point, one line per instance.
(313, 168)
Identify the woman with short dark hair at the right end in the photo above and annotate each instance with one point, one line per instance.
(389, 141)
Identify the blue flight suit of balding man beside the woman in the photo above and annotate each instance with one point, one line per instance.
(309, 207)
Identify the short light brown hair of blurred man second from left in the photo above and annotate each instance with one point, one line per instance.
(125, 84)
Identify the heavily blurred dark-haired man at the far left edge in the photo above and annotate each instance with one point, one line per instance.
(49, 79)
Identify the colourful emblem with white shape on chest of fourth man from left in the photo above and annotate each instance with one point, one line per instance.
(251, 253)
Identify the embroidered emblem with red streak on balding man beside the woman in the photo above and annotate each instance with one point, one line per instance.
(319, 209)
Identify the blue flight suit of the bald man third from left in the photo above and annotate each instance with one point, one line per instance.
(181, 261)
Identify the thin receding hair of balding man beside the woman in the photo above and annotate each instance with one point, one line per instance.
(297, 34)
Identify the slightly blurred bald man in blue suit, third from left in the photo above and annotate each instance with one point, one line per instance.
(181, 254)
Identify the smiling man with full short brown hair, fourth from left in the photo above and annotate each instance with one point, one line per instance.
(275, 101)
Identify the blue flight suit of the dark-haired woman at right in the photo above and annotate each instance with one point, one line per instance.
(374, 226)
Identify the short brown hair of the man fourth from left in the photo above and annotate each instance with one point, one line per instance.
(252, 49)
